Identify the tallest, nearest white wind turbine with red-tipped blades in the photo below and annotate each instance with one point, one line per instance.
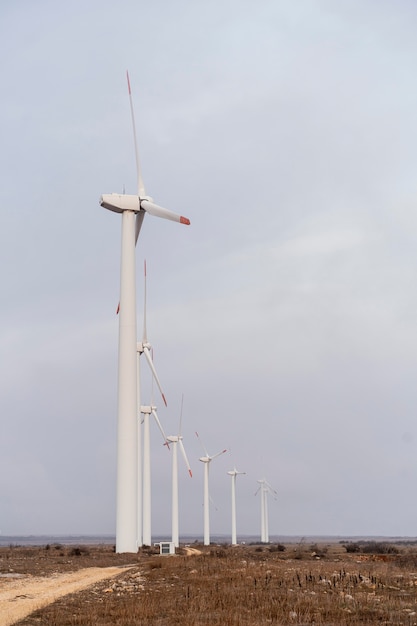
(133, 209)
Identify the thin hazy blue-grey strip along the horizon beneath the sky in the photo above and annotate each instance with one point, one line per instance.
(43, 540)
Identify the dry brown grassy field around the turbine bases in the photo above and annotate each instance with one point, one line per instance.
(244, 585)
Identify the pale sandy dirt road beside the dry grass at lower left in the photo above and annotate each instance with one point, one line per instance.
(20, 597)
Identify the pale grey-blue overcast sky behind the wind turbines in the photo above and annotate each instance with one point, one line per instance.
(286, 313)
